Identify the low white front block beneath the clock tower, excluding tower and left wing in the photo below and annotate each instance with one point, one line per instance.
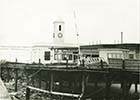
(52, 53)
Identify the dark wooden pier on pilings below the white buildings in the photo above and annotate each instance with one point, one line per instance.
(77, 82)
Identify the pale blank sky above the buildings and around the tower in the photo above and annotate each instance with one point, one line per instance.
(26, 22)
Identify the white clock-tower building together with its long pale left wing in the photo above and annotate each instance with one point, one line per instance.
(47, 53)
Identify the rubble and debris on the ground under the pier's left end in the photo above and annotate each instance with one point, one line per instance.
(21, 93)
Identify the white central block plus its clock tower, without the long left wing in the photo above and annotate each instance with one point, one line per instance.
(51, 53)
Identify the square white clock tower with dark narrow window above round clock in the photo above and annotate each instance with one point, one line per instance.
(58, 35)
